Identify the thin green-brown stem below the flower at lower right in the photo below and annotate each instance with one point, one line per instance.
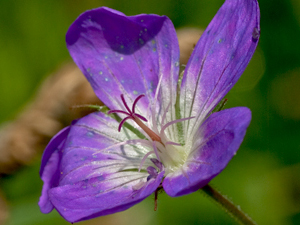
(234, 211)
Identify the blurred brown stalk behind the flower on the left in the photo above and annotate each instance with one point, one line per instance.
(46, 114)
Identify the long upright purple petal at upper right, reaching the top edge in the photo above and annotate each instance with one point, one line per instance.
(219, 59)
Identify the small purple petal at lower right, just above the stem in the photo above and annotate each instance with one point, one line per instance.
(218, 139)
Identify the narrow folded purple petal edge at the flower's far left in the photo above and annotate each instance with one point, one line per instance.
(49, 168)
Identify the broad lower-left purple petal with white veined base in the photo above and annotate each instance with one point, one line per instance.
(95, 173)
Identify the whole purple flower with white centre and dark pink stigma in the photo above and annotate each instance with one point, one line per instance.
(160, 129)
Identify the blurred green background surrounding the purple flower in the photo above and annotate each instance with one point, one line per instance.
(263, 178)
